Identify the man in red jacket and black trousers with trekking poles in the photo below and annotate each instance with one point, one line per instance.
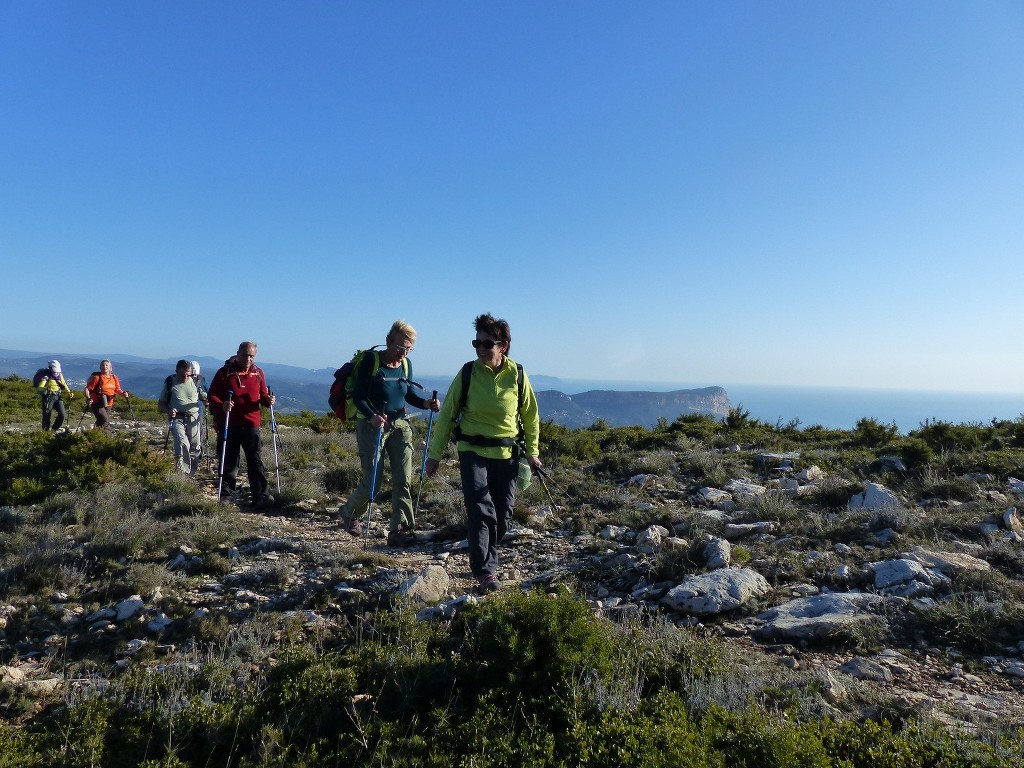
(236, 395)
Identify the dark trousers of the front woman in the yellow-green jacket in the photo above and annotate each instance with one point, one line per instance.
(489, 490)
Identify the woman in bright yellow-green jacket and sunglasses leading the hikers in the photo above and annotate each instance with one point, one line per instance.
(495, 421)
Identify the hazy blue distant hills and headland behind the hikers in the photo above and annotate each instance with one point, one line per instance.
(306, 390)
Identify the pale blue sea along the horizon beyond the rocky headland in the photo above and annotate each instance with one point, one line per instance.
(841, 408)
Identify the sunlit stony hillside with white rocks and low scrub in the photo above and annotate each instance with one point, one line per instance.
(865, 584)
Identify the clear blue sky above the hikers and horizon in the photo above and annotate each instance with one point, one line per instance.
(784, 193)
